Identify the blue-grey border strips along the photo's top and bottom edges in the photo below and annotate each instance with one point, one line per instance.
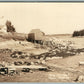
(41, 1)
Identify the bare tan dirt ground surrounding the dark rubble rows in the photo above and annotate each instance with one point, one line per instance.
(62, 70)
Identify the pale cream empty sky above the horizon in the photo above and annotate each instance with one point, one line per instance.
(51, 18)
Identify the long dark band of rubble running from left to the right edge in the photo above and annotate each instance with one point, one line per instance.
(56, 52)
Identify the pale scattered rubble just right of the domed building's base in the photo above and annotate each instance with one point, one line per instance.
(55, 42)
